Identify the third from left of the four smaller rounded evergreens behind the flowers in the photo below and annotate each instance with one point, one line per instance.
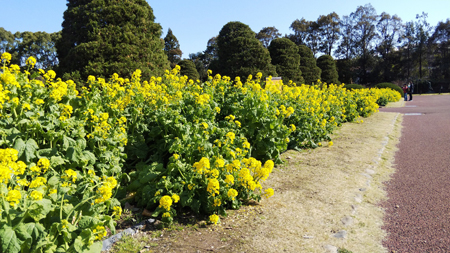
(310, 72)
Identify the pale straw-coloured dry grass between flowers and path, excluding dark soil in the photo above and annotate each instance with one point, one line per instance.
(316, 189)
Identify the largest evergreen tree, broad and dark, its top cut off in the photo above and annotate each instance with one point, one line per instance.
(103, 37)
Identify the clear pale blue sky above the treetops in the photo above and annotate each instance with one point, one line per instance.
(195, 22)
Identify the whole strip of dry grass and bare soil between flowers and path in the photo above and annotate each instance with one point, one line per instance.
(325, 200)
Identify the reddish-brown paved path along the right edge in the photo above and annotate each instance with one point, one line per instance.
(418, 209)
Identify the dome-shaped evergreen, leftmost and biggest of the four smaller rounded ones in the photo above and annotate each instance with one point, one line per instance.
(240, 53)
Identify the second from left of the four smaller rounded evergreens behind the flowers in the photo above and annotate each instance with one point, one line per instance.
(285, 57)
